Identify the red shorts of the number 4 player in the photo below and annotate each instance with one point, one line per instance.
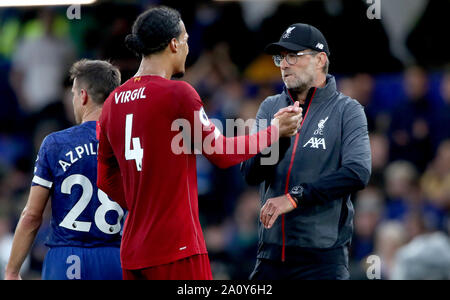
(194, 267)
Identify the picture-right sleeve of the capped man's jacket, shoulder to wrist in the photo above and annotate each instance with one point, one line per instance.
(354, 173)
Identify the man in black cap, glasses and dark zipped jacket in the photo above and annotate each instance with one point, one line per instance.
(307, 215)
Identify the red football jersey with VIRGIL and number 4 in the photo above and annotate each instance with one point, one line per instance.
(138, 167)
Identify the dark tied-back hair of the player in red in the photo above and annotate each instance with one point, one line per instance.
(153, 30)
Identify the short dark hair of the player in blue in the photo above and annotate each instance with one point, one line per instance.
(98, 77)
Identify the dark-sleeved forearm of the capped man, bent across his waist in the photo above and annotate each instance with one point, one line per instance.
(345, 181)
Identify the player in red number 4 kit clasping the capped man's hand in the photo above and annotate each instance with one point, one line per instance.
(138, 167)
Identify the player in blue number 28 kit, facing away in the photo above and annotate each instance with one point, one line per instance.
(85, 225)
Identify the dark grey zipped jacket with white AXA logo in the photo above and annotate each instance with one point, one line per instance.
(330, 158)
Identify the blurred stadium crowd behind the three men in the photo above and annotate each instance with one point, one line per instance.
(397, 67)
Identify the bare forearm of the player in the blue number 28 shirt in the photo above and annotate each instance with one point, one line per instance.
(26, 231)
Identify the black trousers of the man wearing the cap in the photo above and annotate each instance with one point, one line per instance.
(266, 269)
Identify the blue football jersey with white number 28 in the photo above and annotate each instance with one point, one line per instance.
(82, 214)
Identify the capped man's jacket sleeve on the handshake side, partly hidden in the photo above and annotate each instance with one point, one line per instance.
(261, 167)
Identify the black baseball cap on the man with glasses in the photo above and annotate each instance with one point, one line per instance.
(298, 37)
